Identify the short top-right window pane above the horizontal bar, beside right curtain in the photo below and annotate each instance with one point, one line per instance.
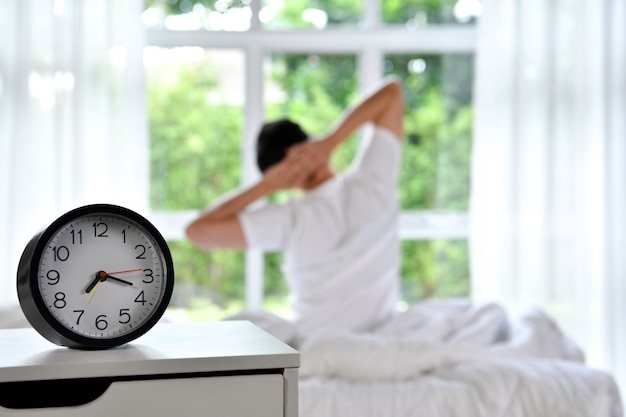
(416, 13)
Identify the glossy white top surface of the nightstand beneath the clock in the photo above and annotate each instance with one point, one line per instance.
(167, 349)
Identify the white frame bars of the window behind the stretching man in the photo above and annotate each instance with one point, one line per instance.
(370, 43)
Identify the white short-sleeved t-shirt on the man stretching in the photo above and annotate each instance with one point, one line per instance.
(340, 242)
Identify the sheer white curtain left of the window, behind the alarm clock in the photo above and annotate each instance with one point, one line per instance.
(73, 124)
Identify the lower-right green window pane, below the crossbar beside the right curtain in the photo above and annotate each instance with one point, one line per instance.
(434, 268)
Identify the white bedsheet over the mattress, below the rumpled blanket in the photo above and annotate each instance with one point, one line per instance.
(511, 388)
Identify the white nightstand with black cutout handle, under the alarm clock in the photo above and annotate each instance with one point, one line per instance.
(230, 369)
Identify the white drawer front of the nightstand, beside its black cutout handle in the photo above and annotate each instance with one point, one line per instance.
(231, 396)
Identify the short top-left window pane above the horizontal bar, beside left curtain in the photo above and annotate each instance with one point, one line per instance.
(229, 15)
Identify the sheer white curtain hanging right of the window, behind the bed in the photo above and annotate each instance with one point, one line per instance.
(549, 167)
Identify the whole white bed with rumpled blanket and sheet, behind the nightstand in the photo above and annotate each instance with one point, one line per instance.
(453, 358)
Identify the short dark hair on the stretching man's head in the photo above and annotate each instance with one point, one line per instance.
(274, 141)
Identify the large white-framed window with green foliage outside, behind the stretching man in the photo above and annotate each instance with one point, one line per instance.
(217, 69)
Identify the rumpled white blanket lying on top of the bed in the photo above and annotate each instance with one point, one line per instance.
(432, 335)
